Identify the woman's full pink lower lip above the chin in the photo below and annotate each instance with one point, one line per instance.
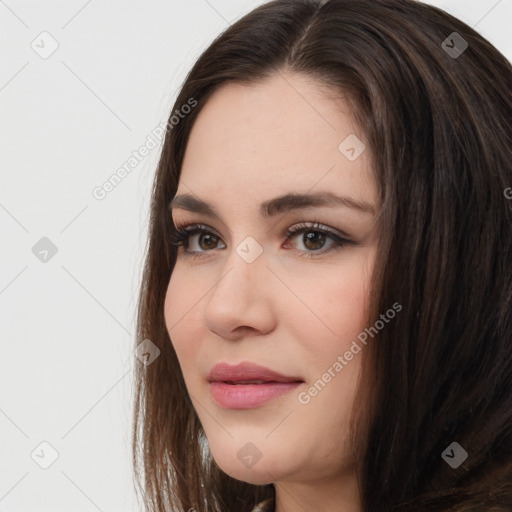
(247, 396)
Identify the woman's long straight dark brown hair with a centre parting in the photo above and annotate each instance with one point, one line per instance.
(438, 125)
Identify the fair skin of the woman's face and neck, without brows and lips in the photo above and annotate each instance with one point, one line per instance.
(288, 312)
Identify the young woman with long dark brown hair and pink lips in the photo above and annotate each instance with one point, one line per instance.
(329, 271)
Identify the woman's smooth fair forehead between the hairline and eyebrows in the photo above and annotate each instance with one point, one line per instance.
(276, 136)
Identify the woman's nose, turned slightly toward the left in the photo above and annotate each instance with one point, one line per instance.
(242, 300)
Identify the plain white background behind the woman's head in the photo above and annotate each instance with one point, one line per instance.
(68, 123)
